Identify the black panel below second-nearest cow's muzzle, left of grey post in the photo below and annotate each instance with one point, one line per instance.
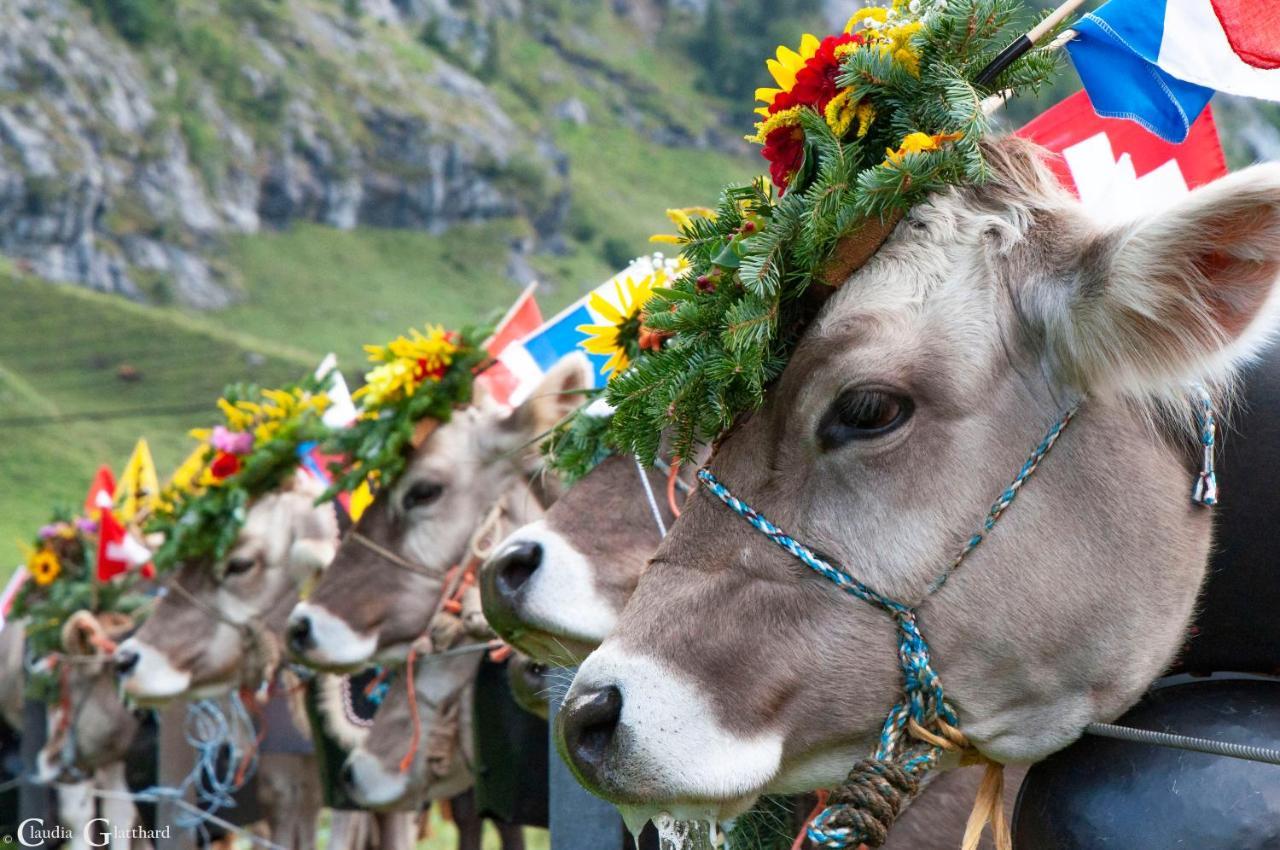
(511, 753)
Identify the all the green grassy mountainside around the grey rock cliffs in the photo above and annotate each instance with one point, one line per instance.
(83, 376)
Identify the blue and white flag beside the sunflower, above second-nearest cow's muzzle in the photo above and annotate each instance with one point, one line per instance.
(531, 358)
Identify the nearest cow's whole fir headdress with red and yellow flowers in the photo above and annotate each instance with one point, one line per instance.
(861, 126)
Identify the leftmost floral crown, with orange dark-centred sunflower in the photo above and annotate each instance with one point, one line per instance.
(61, 568)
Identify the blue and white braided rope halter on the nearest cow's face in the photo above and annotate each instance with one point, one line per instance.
(917, 729)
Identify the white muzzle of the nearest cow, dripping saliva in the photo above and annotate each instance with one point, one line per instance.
(668, 752)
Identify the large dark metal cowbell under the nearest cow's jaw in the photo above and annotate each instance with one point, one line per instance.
(1101, 793)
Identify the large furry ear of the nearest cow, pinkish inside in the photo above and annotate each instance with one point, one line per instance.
(1182, 296)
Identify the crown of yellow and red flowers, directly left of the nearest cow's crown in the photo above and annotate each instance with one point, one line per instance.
(417, 385)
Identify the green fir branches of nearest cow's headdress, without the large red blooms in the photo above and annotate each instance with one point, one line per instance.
(735, 317)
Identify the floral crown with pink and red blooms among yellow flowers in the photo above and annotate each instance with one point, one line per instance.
(252, 453)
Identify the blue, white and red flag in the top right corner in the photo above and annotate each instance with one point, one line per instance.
(1159, 62)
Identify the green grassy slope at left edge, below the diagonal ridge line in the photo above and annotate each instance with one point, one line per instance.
(75, 371)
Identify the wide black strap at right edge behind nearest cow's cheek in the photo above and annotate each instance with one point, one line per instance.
(1238, 627)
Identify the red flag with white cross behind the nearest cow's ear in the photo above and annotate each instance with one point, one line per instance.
(1118, 168)
